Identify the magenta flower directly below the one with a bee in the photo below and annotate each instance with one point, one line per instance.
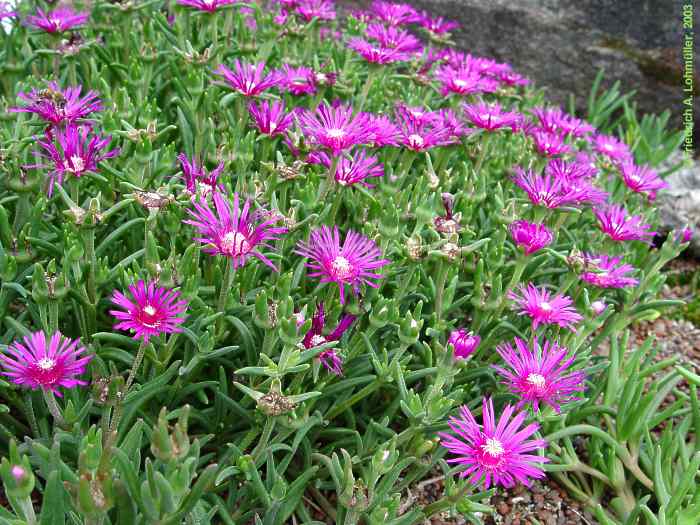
(76, 153)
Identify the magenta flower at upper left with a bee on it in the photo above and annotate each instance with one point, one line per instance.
(58, 106)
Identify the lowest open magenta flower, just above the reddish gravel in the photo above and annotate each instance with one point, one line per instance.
(497, 452)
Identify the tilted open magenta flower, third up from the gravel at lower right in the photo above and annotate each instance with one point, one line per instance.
(544, 308)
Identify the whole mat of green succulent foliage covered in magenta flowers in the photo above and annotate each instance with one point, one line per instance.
(271, 264)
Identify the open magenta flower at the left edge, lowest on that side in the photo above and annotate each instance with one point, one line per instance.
(46, 362)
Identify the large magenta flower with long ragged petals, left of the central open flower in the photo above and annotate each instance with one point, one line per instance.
(234, 233)
